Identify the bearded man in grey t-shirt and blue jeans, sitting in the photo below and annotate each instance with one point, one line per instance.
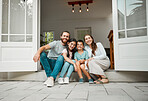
(53, 62)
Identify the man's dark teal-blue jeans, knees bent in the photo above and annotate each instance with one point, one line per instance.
(52, 67)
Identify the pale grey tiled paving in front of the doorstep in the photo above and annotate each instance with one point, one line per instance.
(36, 91)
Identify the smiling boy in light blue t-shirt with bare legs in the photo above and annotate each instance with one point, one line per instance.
(80, 57)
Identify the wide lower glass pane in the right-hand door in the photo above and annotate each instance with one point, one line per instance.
(136, 33)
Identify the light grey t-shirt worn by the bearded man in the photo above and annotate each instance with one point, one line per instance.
(56, 49)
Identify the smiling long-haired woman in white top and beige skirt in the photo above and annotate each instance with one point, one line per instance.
(98, 61)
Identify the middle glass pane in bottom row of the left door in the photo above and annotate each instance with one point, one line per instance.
(17, 38)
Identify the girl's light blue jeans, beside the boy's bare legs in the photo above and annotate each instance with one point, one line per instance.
(65, 68)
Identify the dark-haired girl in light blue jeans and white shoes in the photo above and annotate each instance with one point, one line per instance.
(68, 55)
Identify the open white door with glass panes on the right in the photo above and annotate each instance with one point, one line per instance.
(130, 20)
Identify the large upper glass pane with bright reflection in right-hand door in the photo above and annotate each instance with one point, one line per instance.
(136, 13)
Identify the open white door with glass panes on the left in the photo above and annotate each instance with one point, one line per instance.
(18, 35)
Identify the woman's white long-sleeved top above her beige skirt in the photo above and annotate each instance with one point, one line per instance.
(99, 53)
